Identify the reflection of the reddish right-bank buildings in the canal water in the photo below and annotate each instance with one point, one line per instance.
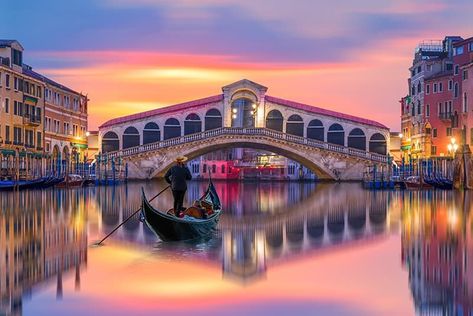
(435, 245)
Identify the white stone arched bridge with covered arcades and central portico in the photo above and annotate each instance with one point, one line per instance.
(333, 145)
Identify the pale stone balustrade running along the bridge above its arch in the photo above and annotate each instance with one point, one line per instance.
(250, 132)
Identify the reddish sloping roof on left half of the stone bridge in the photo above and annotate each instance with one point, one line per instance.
(168, 109)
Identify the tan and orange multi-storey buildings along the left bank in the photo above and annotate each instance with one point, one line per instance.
(39, 116)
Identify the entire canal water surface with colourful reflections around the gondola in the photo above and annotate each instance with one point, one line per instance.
(281, 249)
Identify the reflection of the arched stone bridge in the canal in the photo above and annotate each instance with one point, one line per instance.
(330, 217)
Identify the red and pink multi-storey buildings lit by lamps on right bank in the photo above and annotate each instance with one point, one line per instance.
(435, 115)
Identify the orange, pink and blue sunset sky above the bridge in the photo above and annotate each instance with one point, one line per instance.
(136, 55)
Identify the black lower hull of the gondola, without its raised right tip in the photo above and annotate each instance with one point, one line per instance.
(171, 228)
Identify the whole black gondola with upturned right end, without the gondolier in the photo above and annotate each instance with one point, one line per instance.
(171, 228)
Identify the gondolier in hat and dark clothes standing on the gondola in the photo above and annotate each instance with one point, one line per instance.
(177, 177)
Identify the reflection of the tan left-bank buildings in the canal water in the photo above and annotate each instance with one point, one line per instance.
(41, 241)
